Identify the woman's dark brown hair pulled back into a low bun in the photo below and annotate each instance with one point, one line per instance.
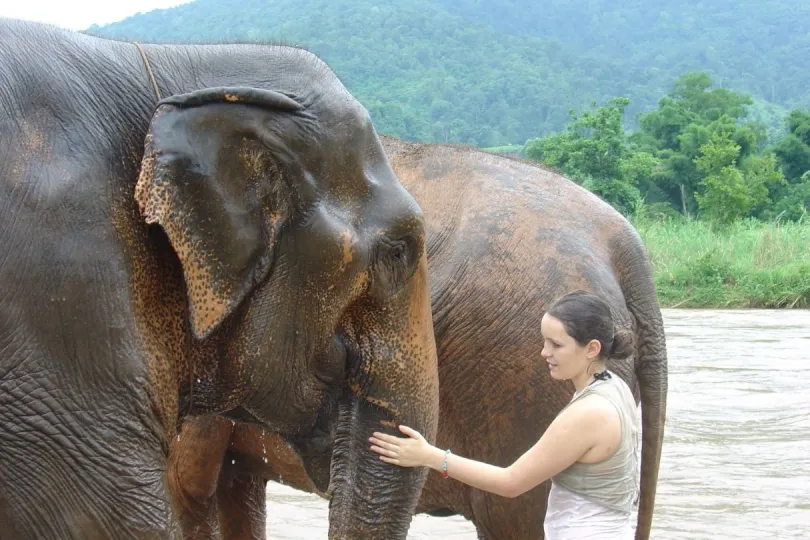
(585, 316)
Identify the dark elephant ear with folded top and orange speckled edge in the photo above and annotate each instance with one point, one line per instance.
(212, 177)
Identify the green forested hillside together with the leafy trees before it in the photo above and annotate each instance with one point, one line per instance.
(674, 108)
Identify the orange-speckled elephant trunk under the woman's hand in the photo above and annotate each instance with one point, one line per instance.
(396, 382)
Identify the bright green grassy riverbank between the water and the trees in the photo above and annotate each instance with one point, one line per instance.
(746, 265)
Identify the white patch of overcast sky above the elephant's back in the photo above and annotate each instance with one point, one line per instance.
(79, 14)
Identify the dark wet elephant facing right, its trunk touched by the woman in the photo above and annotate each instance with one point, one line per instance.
(197, 231)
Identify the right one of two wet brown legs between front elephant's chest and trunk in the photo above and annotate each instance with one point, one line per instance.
(241, 504)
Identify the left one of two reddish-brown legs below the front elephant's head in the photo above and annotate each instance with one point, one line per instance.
(195, 462)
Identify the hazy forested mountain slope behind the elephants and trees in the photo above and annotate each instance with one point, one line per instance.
(497, 72)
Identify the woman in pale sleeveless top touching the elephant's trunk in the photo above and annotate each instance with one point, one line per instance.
(589, 451)
